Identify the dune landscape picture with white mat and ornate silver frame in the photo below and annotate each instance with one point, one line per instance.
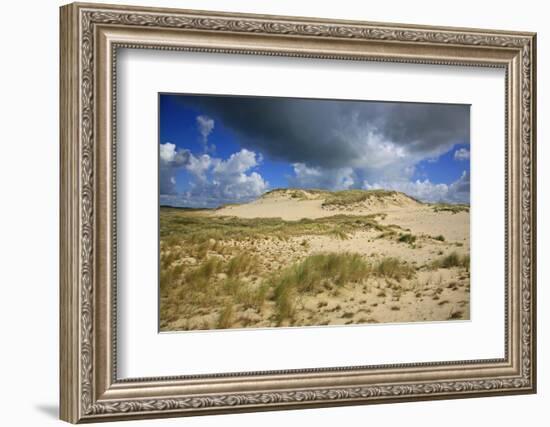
(265, 212)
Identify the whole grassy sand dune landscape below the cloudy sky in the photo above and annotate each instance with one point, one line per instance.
(427, 247)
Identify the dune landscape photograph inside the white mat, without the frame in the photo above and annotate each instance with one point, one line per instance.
(294, 212)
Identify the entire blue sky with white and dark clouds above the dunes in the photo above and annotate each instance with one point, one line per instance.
(215, 150)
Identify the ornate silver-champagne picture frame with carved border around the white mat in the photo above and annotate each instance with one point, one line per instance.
(90, 36)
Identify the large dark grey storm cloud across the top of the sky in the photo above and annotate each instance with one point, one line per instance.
(335, 134)
